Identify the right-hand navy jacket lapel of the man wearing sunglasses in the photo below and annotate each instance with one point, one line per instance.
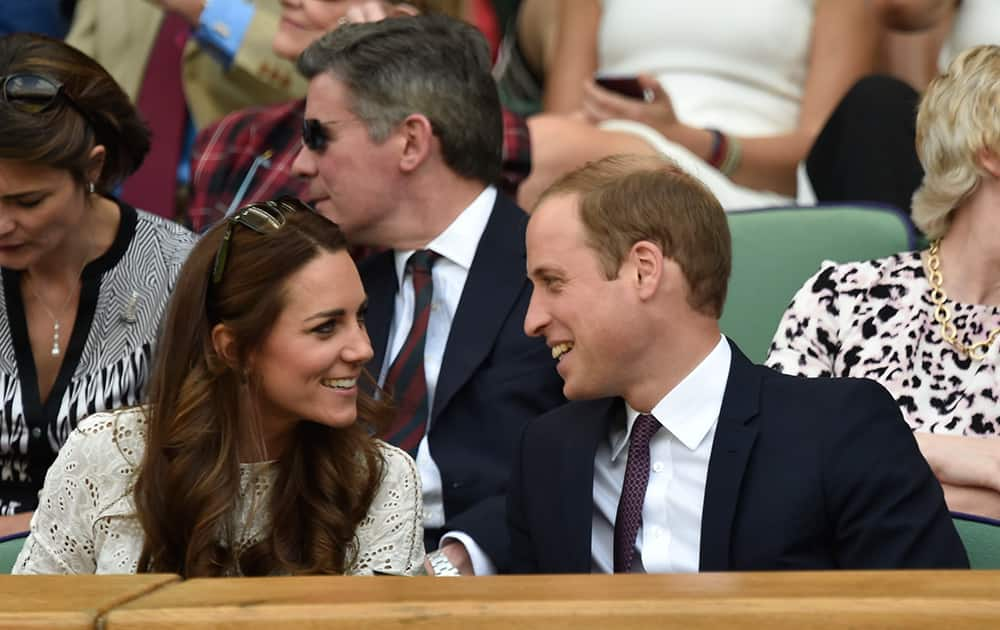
(494, 283)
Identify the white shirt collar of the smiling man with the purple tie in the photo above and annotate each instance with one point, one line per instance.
(691, 409)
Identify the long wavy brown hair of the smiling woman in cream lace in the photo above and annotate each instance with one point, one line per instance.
(187, 490)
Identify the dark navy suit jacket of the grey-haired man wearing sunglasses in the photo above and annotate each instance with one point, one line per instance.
(493, 379)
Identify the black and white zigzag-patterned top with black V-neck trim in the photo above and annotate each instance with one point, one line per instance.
(123, 297)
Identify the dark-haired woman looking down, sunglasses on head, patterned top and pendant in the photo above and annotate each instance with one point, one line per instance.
(85, 278)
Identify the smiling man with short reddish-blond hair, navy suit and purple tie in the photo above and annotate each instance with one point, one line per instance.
(678, 454)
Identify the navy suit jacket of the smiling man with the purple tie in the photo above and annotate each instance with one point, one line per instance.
(804, 474)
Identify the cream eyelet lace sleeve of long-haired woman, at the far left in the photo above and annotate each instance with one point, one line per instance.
(77, 485)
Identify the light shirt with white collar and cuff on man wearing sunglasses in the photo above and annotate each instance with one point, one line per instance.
(457, 246)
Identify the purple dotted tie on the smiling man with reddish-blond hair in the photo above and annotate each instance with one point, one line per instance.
(629, 517)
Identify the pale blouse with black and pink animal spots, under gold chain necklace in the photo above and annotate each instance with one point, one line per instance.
(875, 320)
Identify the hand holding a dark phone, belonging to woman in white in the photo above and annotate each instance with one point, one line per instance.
(656, 110)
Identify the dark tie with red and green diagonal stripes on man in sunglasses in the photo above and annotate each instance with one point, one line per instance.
(405, 381)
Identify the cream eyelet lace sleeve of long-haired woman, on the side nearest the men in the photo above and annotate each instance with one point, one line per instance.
(391, 536)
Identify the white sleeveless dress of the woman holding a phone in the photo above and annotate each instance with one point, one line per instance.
(732, 65)
